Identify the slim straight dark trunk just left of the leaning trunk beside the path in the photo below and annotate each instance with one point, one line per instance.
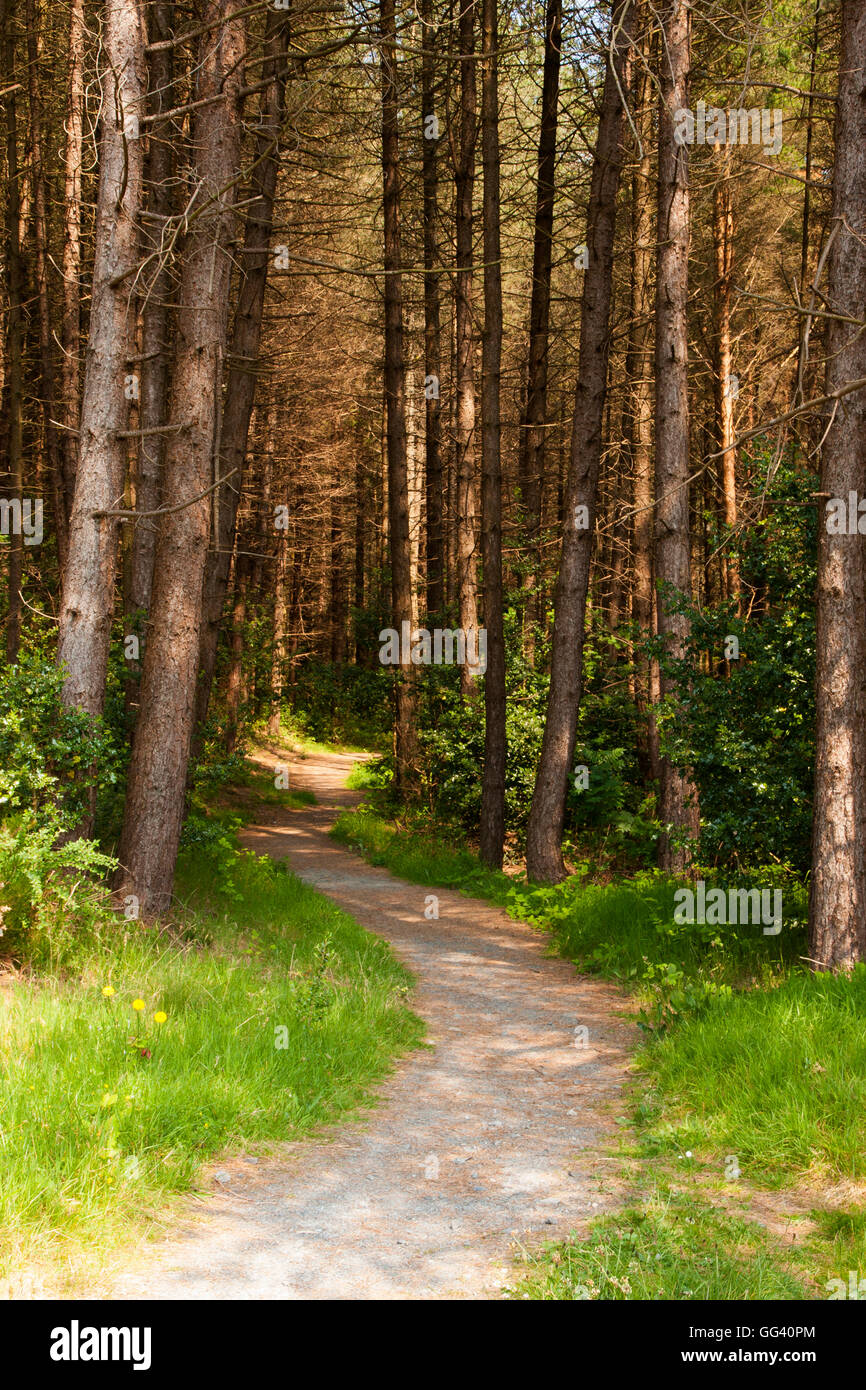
(493, 786)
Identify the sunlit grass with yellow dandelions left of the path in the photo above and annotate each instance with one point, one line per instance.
(281, 1015)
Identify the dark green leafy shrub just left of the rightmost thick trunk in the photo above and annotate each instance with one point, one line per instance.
(750, 737)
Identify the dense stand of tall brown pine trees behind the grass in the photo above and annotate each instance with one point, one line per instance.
(320, 320)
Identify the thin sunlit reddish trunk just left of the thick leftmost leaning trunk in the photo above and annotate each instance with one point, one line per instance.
(70, 329)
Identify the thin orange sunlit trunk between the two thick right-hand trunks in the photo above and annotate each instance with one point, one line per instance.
(724, 241)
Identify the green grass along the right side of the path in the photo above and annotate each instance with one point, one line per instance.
(747, 1054)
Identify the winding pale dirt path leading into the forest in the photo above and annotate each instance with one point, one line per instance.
(489, 1140)
